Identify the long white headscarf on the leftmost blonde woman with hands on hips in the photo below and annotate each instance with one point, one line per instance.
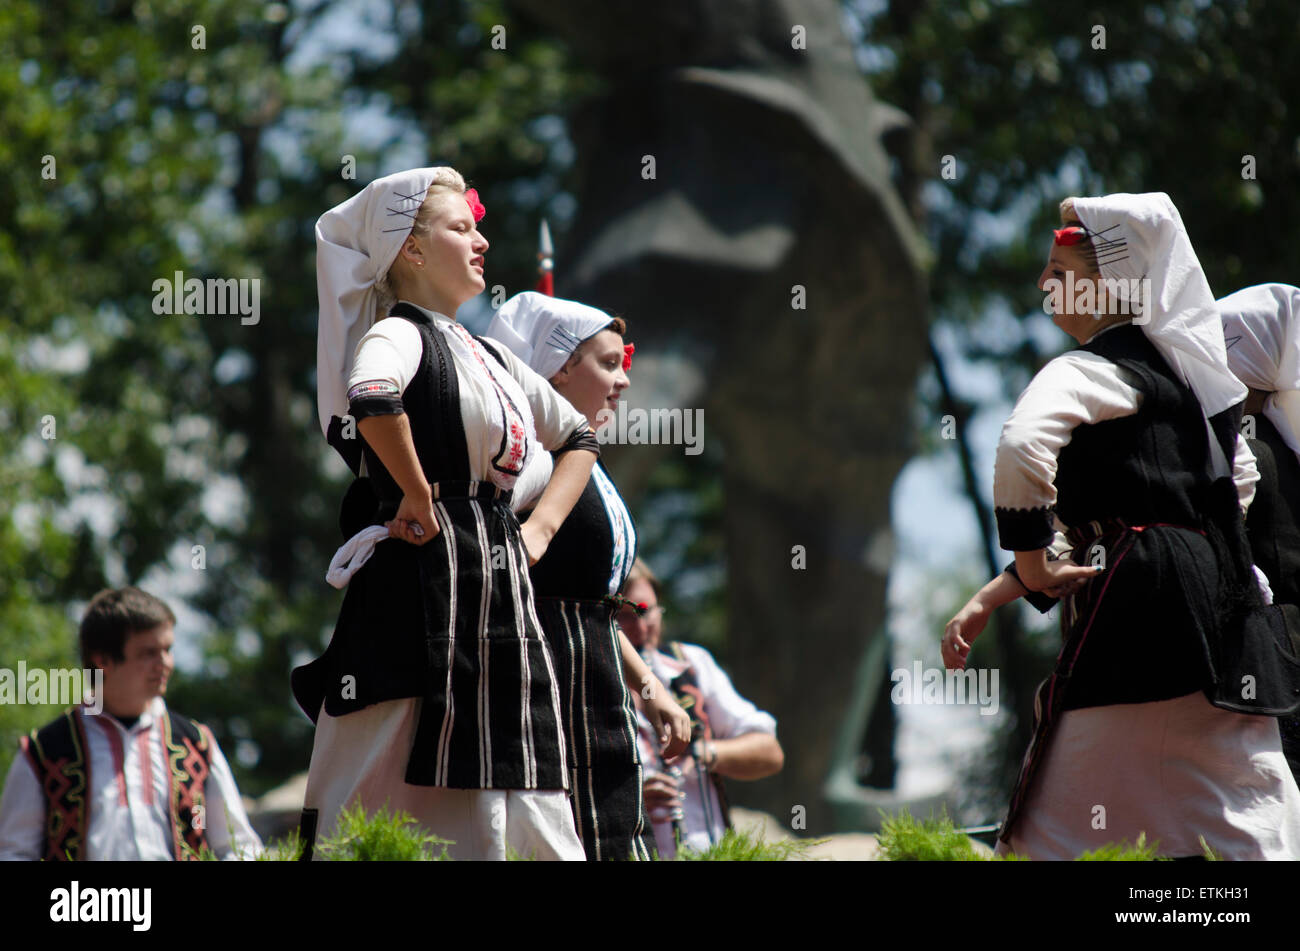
(357, 242)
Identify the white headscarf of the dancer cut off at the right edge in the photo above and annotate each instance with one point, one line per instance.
(1262, 331)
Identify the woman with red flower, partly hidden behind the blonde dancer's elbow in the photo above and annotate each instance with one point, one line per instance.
(580, 351)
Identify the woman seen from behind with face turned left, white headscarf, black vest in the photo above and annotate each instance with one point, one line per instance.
(1129, 448)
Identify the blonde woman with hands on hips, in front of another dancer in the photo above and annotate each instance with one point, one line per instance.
(437, 694)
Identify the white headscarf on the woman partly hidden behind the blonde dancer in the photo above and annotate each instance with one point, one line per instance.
(544, 332)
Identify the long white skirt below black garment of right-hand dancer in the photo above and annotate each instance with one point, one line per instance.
(1173, 770)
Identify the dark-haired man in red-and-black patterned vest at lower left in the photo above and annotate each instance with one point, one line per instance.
(136, 781)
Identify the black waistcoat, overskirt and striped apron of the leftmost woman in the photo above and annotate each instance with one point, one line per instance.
(450, 622)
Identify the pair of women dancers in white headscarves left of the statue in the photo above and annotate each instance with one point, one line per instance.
(476, 679)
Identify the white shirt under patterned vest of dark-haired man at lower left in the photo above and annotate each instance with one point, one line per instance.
(129, 818)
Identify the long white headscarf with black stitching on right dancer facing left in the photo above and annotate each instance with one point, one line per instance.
(1142, 237)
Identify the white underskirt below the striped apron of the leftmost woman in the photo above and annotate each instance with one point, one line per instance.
(363, 757)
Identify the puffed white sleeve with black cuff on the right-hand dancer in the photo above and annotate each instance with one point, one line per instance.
(1074, 389)
